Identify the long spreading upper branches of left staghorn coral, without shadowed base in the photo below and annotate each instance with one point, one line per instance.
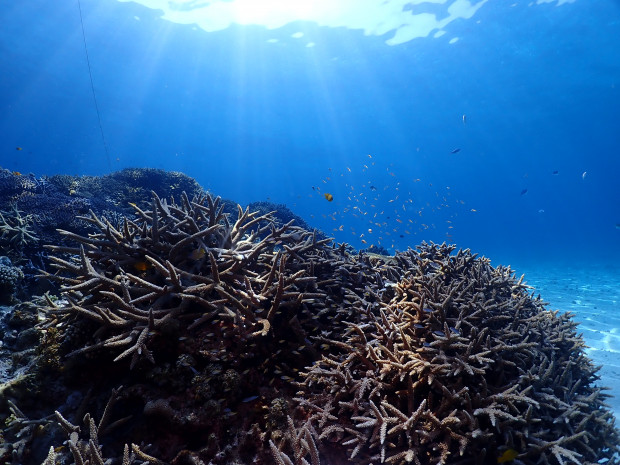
(180, 263)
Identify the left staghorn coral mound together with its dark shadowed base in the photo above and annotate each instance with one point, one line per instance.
(242, 298)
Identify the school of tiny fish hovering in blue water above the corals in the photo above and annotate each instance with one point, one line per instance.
(384, 209)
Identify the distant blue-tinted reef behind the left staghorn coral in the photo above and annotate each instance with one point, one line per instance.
(35, 207)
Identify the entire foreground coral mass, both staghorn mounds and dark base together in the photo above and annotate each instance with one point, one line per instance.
(184, 333)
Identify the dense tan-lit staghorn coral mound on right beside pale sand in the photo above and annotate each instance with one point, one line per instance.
(459, 364)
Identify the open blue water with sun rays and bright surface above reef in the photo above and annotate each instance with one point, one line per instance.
(494, 125)
